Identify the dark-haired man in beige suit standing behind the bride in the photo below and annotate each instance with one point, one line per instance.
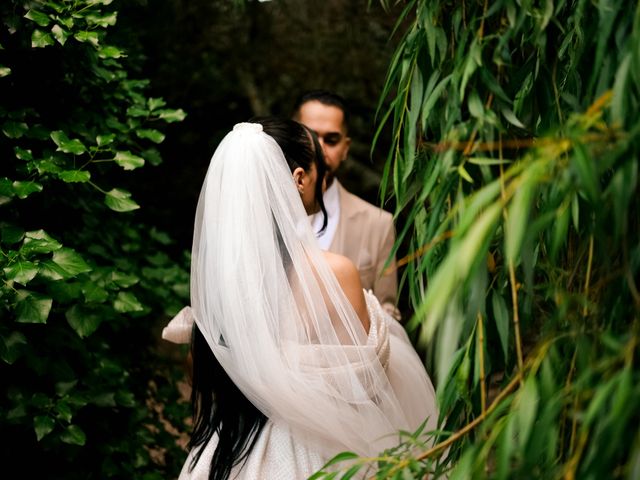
(356, 229)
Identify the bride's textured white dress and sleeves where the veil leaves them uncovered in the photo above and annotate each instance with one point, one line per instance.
(278, 454)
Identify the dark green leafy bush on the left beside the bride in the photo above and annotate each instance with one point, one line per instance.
(83, 280)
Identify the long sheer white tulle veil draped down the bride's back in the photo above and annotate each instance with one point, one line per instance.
(272, 311)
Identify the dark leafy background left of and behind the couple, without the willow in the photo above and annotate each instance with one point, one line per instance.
(93, 95)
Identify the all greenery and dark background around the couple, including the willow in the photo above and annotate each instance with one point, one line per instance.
(512, 136)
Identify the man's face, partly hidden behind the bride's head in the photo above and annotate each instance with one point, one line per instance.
(328, 123)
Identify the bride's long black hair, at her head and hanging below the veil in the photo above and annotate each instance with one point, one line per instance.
(218, 404)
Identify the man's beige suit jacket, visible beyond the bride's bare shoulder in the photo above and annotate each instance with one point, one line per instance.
(365, 234)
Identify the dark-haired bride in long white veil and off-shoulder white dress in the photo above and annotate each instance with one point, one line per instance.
(292, 361)
